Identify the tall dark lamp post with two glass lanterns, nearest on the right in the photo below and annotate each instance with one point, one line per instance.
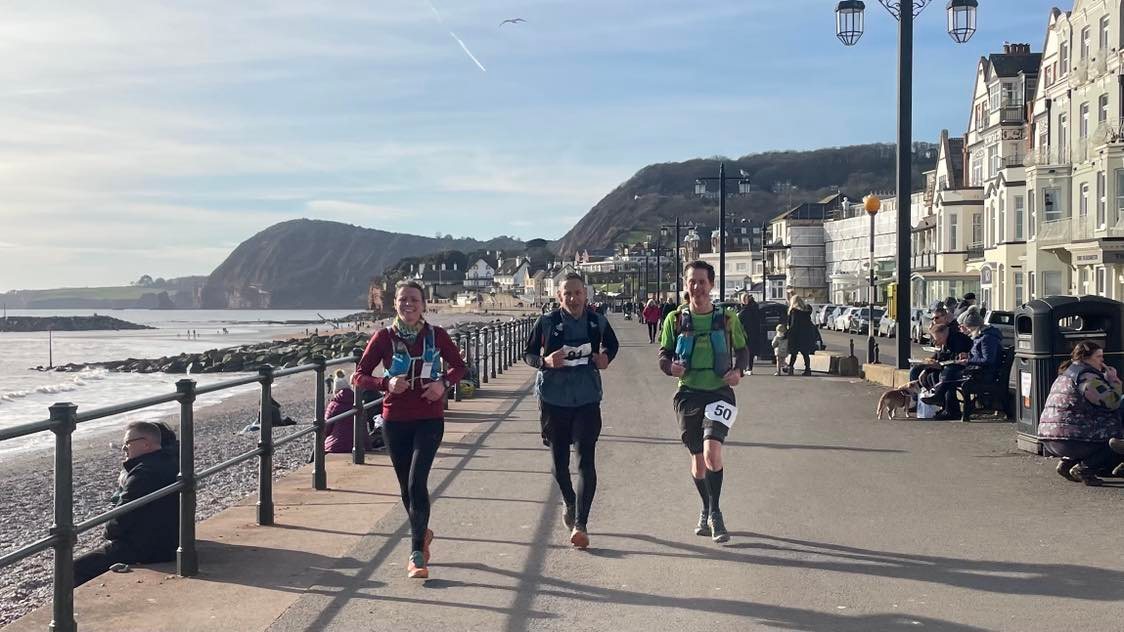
(849, 28)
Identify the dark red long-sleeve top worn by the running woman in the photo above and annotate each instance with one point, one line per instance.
(409, 407)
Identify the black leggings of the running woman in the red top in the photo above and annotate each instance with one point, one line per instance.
(413, 447)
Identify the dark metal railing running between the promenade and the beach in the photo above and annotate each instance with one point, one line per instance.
(488, 350)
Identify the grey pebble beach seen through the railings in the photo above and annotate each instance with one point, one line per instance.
(26, 511)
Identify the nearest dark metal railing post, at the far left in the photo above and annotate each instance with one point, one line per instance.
(65, 416)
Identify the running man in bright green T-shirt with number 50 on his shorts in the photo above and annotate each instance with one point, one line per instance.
(705, 348)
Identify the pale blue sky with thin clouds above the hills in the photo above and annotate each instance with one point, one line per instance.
(153, 138)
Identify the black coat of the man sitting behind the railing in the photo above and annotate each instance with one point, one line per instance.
(152, 531)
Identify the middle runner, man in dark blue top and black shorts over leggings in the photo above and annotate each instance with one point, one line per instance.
(570, 347)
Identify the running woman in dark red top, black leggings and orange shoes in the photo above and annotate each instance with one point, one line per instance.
(421, 364)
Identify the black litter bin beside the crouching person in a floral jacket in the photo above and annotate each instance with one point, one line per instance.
(1046, 332)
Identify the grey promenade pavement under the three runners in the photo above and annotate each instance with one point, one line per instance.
(839, 522)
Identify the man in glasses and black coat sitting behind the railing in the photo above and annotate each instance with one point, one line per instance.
(150, 534)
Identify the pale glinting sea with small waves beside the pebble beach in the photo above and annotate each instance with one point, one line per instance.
(26, 394)
